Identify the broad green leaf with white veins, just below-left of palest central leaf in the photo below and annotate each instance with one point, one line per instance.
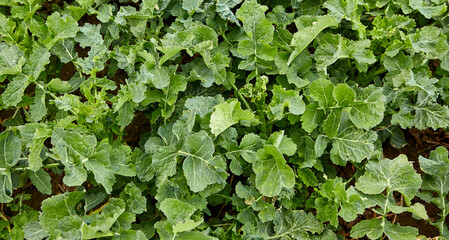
(200, 168)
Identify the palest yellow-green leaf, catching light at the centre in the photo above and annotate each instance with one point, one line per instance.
(227, 114)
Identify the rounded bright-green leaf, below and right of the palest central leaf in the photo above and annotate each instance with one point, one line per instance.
(272, 172)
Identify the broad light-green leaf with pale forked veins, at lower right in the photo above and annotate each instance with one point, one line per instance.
(396, 175)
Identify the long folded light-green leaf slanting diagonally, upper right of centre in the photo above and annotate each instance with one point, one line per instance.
(309, 27)
